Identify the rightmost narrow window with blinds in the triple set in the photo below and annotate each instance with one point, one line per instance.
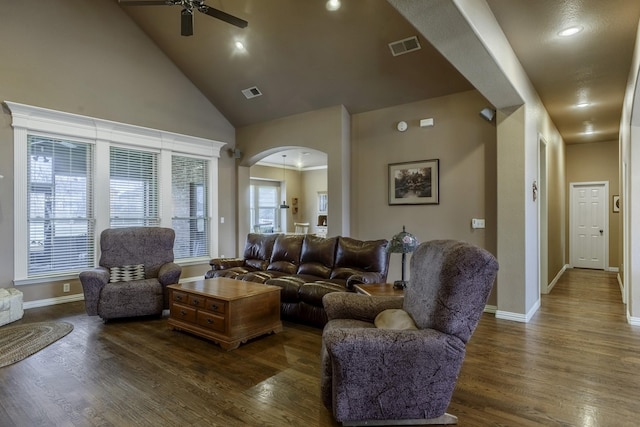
(190, 218)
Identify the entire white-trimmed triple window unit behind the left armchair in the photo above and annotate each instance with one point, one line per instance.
(75, 176)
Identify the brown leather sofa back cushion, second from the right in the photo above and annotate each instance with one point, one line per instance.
(318, 256)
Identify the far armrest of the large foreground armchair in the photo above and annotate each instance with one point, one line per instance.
(346, 305)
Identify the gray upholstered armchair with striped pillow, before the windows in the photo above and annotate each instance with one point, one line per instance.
(136, 264)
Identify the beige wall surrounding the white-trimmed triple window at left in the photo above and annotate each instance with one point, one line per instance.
(94, 61)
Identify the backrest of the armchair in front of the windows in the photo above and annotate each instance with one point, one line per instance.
(151, 246)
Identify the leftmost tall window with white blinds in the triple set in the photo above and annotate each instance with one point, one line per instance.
(59, 203)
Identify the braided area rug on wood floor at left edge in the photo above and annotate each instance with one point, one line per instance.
(21, 341)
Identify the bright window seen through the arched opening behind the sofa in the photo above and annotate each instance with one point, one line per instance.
(264, 206)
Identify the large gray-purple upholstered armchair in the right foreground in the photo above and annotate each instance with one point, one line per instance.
(406, 376)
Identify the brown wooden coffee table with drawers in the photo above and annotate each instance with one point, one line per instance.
(226, 311)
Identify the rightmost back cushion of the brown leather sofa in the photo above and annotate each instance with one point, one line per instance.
(353, 256)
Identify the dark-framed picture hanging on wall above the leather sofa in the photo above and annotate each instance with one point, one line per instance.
(414, 183)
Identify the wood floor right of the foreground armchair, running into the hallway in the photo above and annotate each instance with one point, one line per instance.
(575, 363)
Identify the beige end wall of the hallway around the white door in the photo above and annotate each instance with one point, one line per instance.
(595, 162)
